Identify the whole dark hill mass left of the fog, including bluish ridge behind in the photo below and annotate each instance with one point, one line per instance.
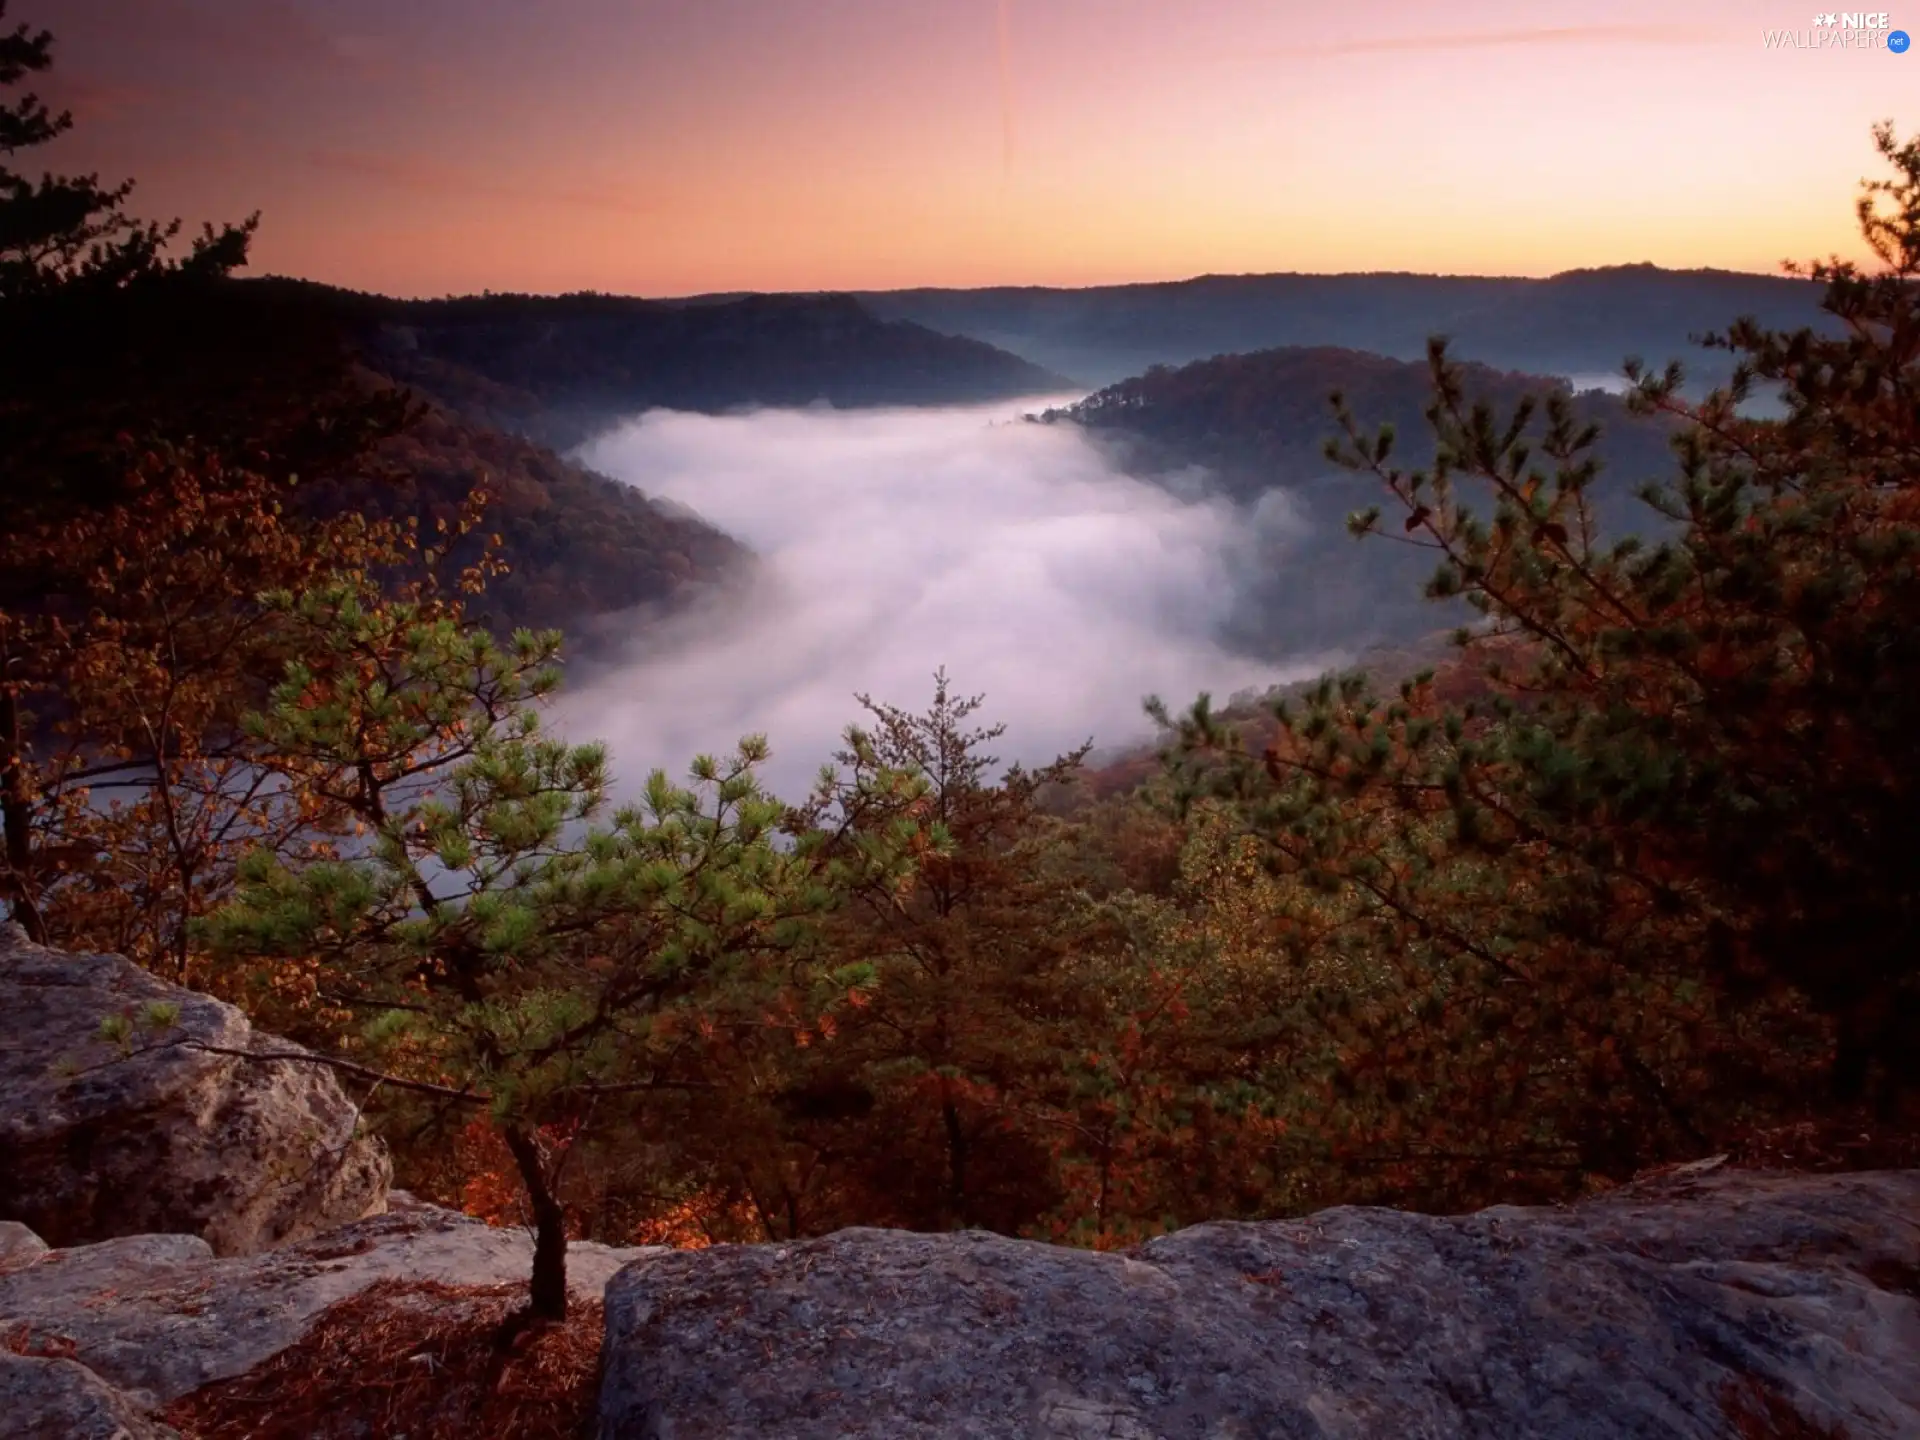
(270, 368)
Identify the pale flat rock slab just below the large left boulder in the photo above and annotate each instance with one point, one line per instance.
(162, 1316)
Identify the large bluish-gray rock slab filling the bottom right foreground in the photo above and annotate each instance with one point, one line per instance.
(1625, 1316)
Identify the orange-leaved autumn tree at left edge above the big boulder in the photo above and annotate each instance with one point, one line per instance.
(135, 788)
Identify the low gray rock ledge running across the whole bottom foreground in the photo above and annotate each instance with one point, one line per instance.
(1714, 1305)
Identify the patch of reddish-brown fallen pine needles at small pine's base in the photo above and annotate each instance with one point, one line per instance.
(418, 1360)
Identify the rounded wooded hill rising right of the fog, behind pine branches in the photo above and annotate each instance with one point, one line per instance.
(1253, 429)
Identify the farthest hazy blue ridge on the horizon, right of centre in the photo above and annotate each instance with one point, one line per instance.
(1575, 324)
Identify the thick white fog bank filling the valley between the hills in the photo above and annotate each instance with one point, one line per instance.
(894, 542)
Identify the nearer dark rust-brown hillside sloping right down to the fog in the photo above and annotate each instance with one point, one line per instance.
(291, 379)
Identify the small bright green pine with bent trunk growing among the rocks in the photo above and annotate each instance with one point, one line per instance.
(506, 951)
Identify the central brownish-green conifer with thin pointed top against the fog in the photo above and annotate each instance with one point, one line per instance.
(919, 1078)
